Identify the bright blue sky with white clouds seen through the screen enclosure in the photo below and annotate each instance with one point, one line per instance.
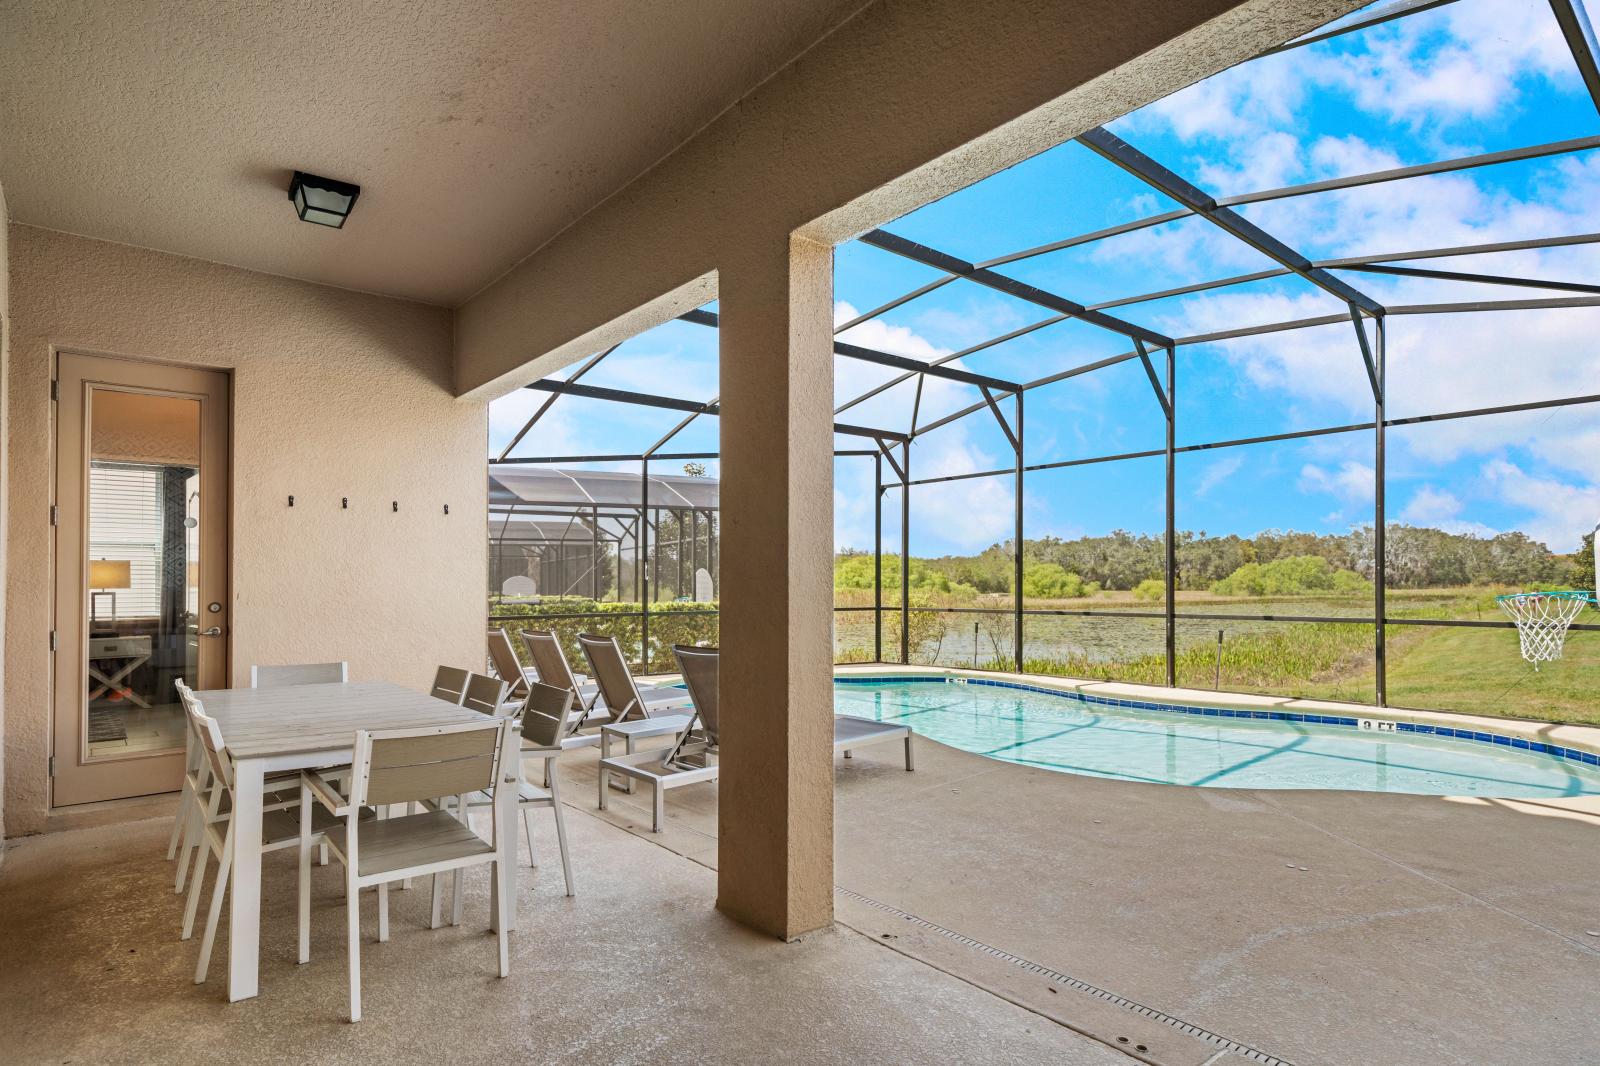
(1476, 76)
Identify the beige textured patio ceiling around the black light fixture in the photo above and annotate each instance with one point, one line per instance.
(478, 129)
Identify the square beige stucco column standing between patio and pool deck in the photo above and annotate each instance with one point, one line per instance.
(775, 856)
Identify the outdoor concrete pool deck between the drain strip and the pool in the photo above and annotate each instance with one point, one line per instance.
(1422, 931)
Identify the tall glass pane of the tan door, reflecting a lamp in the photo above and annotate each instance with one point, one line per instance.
(142, 571)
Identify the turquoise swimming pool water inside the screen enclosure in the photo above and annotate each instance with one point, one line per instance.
(1068, 734)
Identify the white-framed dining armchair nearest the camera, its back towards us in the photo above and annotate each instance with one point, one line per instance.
(394, 767)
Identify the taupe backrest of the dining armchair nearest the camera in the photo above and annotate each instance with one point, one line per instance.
(423, 764)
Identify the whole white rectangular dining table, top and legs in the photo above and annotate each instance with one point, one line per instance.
(300, 727)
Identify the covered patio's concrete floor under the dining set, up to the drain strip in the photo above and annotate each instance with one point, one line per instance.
(636, 969)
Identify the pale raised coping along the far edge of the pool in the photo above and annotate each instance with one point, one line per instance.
(1577, 743)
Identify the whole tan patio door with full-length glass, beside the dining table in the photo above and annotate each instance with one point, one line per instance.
(142, 569)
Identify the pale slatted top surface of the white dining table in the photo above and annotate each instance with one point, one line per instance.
(300, 719)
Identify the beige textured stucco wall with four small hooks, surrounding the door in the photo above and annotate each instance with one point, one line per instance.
(335, 395)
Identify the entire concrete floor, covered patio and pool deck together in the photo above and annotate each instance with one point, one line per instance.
(988, 913)
